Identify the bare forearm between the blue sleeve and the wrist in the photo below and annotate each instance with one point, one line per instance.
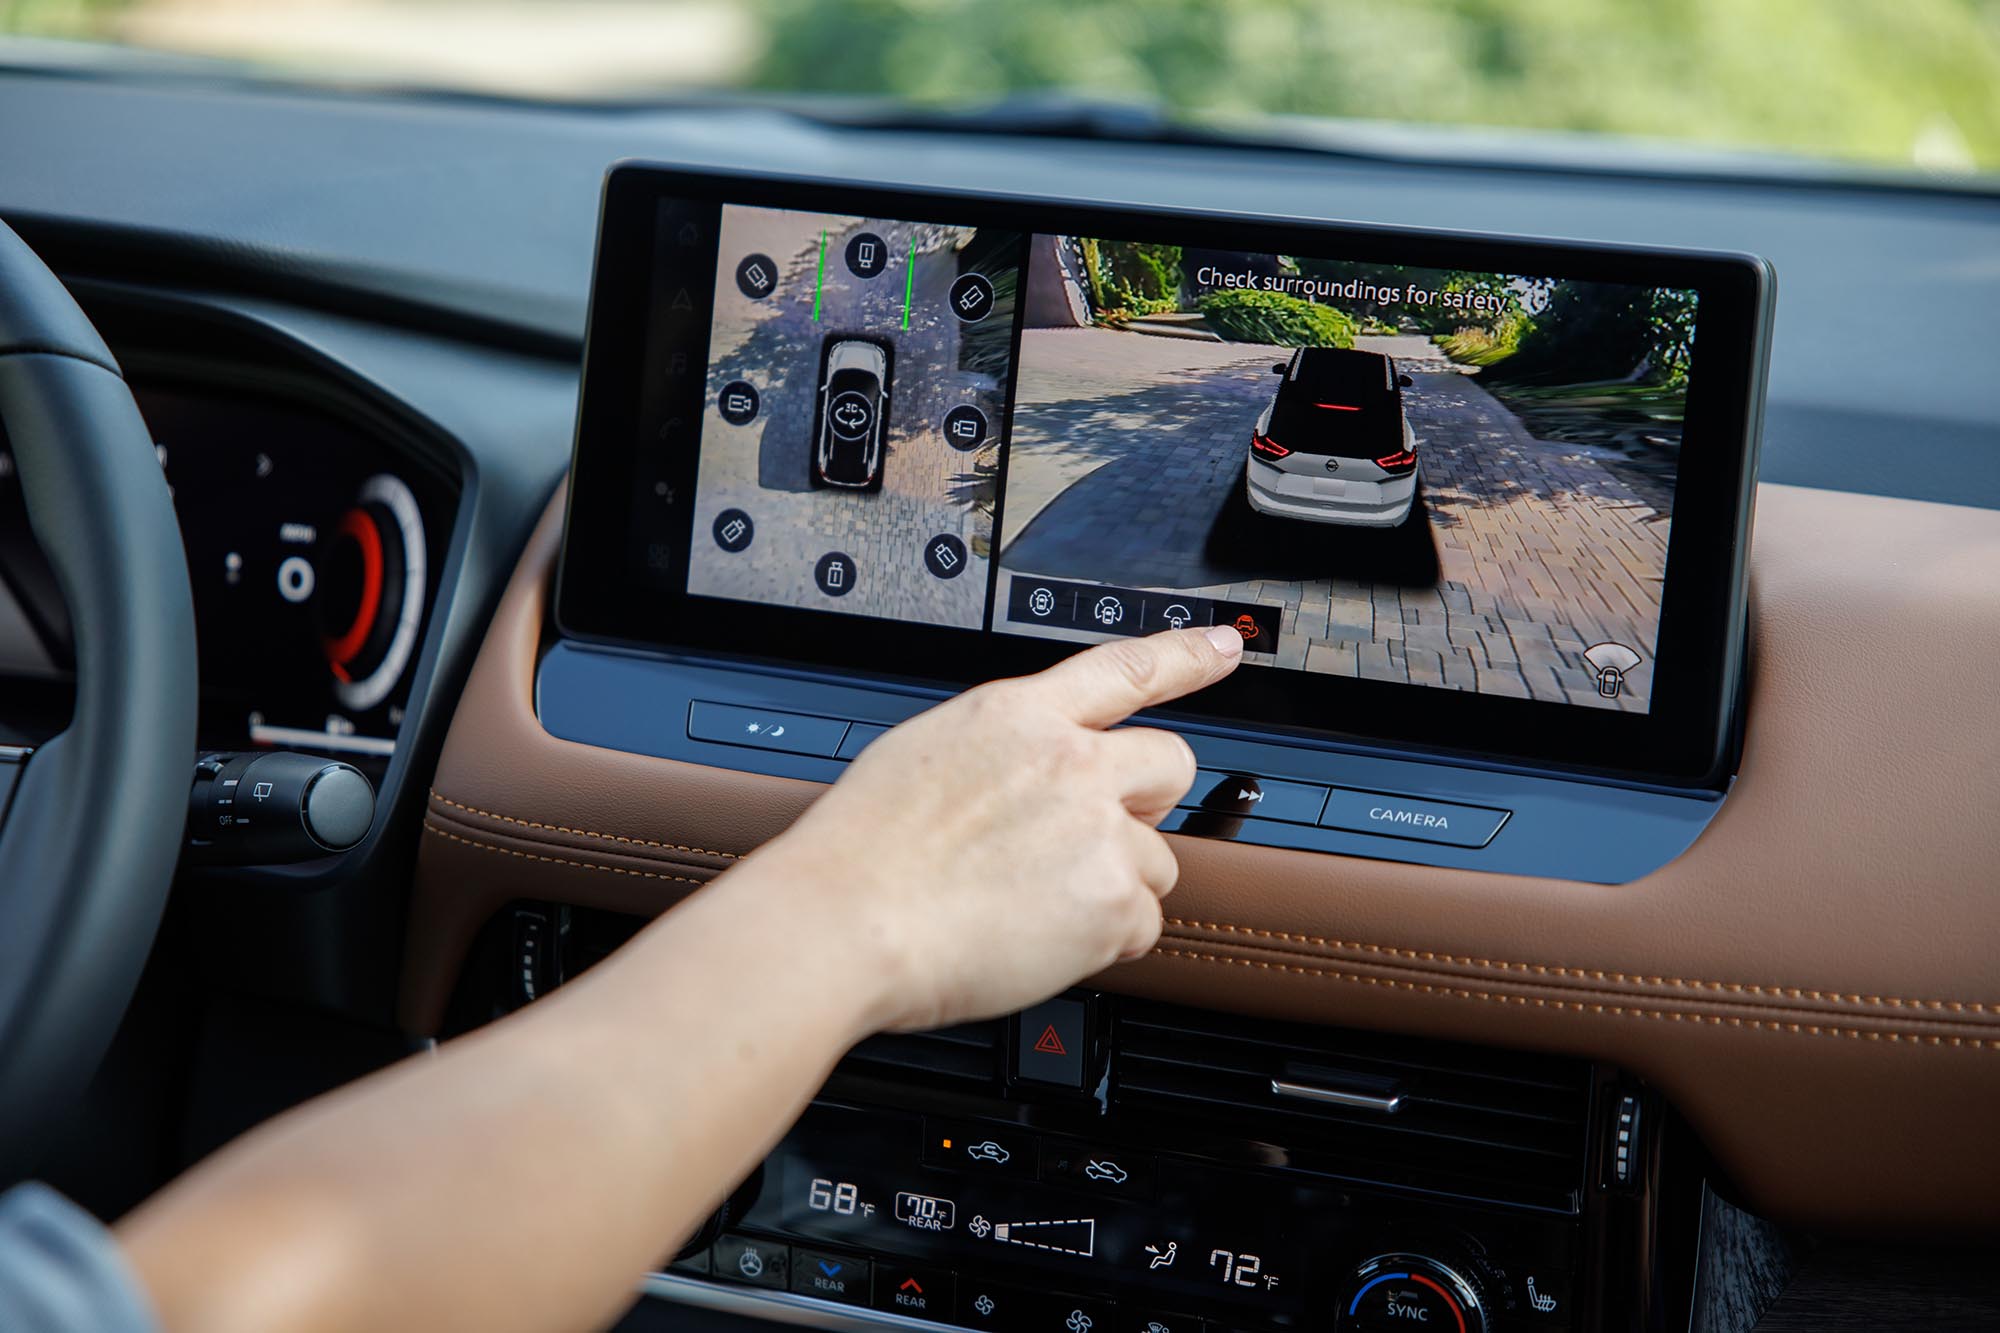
(527, 1174)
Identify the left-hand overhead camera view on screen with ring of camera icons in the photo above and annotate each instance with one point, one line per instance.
(851, 445)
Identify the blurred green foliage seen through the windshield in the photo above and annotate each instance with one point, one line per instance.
(1893, 81)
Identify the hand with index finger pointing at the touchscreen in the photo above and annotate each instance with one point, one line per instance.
(1005, 846)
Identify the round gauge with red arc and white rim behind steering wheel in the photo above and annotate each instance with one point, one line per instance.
(373, 593)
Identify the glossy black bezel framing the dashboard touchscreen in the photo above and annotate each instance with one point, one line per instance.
(1685, 740)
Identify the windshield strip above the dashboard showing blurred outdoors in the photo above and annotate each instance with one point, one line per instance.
(1905, 83)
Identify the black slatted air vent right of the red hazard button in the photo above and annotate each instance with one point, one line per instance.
(1467, 1122)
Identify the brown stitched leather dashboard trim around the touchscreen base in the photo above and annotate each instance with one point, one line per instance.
(1815, 984)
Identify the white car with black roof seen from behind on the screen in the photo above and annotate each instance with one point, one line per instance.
(1335, 443)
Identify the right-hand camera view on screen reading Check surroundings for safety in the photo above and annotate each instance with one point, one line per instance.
(1391, 473)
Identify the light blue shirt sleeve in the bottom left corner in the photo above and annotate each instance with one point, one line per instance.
(61, 1272)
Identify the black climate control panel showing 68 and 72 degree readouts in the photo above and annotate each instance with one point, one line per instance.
(995, 1226)
